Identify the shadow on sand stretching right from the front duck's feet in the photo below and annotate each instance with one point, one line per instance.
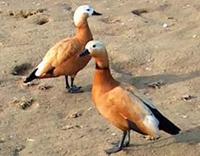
(191, 137)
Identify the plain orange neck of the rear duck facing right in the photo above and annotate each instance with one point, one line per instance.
(83, 33)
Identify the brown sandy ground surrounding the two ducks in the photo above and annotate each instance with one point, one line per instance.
(158, 52)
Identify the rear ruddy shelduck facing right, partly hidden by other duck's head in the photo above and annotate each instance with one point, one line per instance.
(63, 58)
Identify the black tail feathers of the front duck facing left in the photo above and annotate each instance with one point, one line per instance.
(165, 124)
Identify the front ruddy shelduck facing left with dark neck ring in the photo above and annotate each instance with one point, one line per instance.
(123, 105)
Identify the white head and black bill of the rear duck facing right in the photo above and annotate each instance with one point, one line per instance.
(82, 13)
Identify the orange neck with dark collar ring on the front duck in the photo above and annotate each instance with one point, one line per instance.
(103, 80)
